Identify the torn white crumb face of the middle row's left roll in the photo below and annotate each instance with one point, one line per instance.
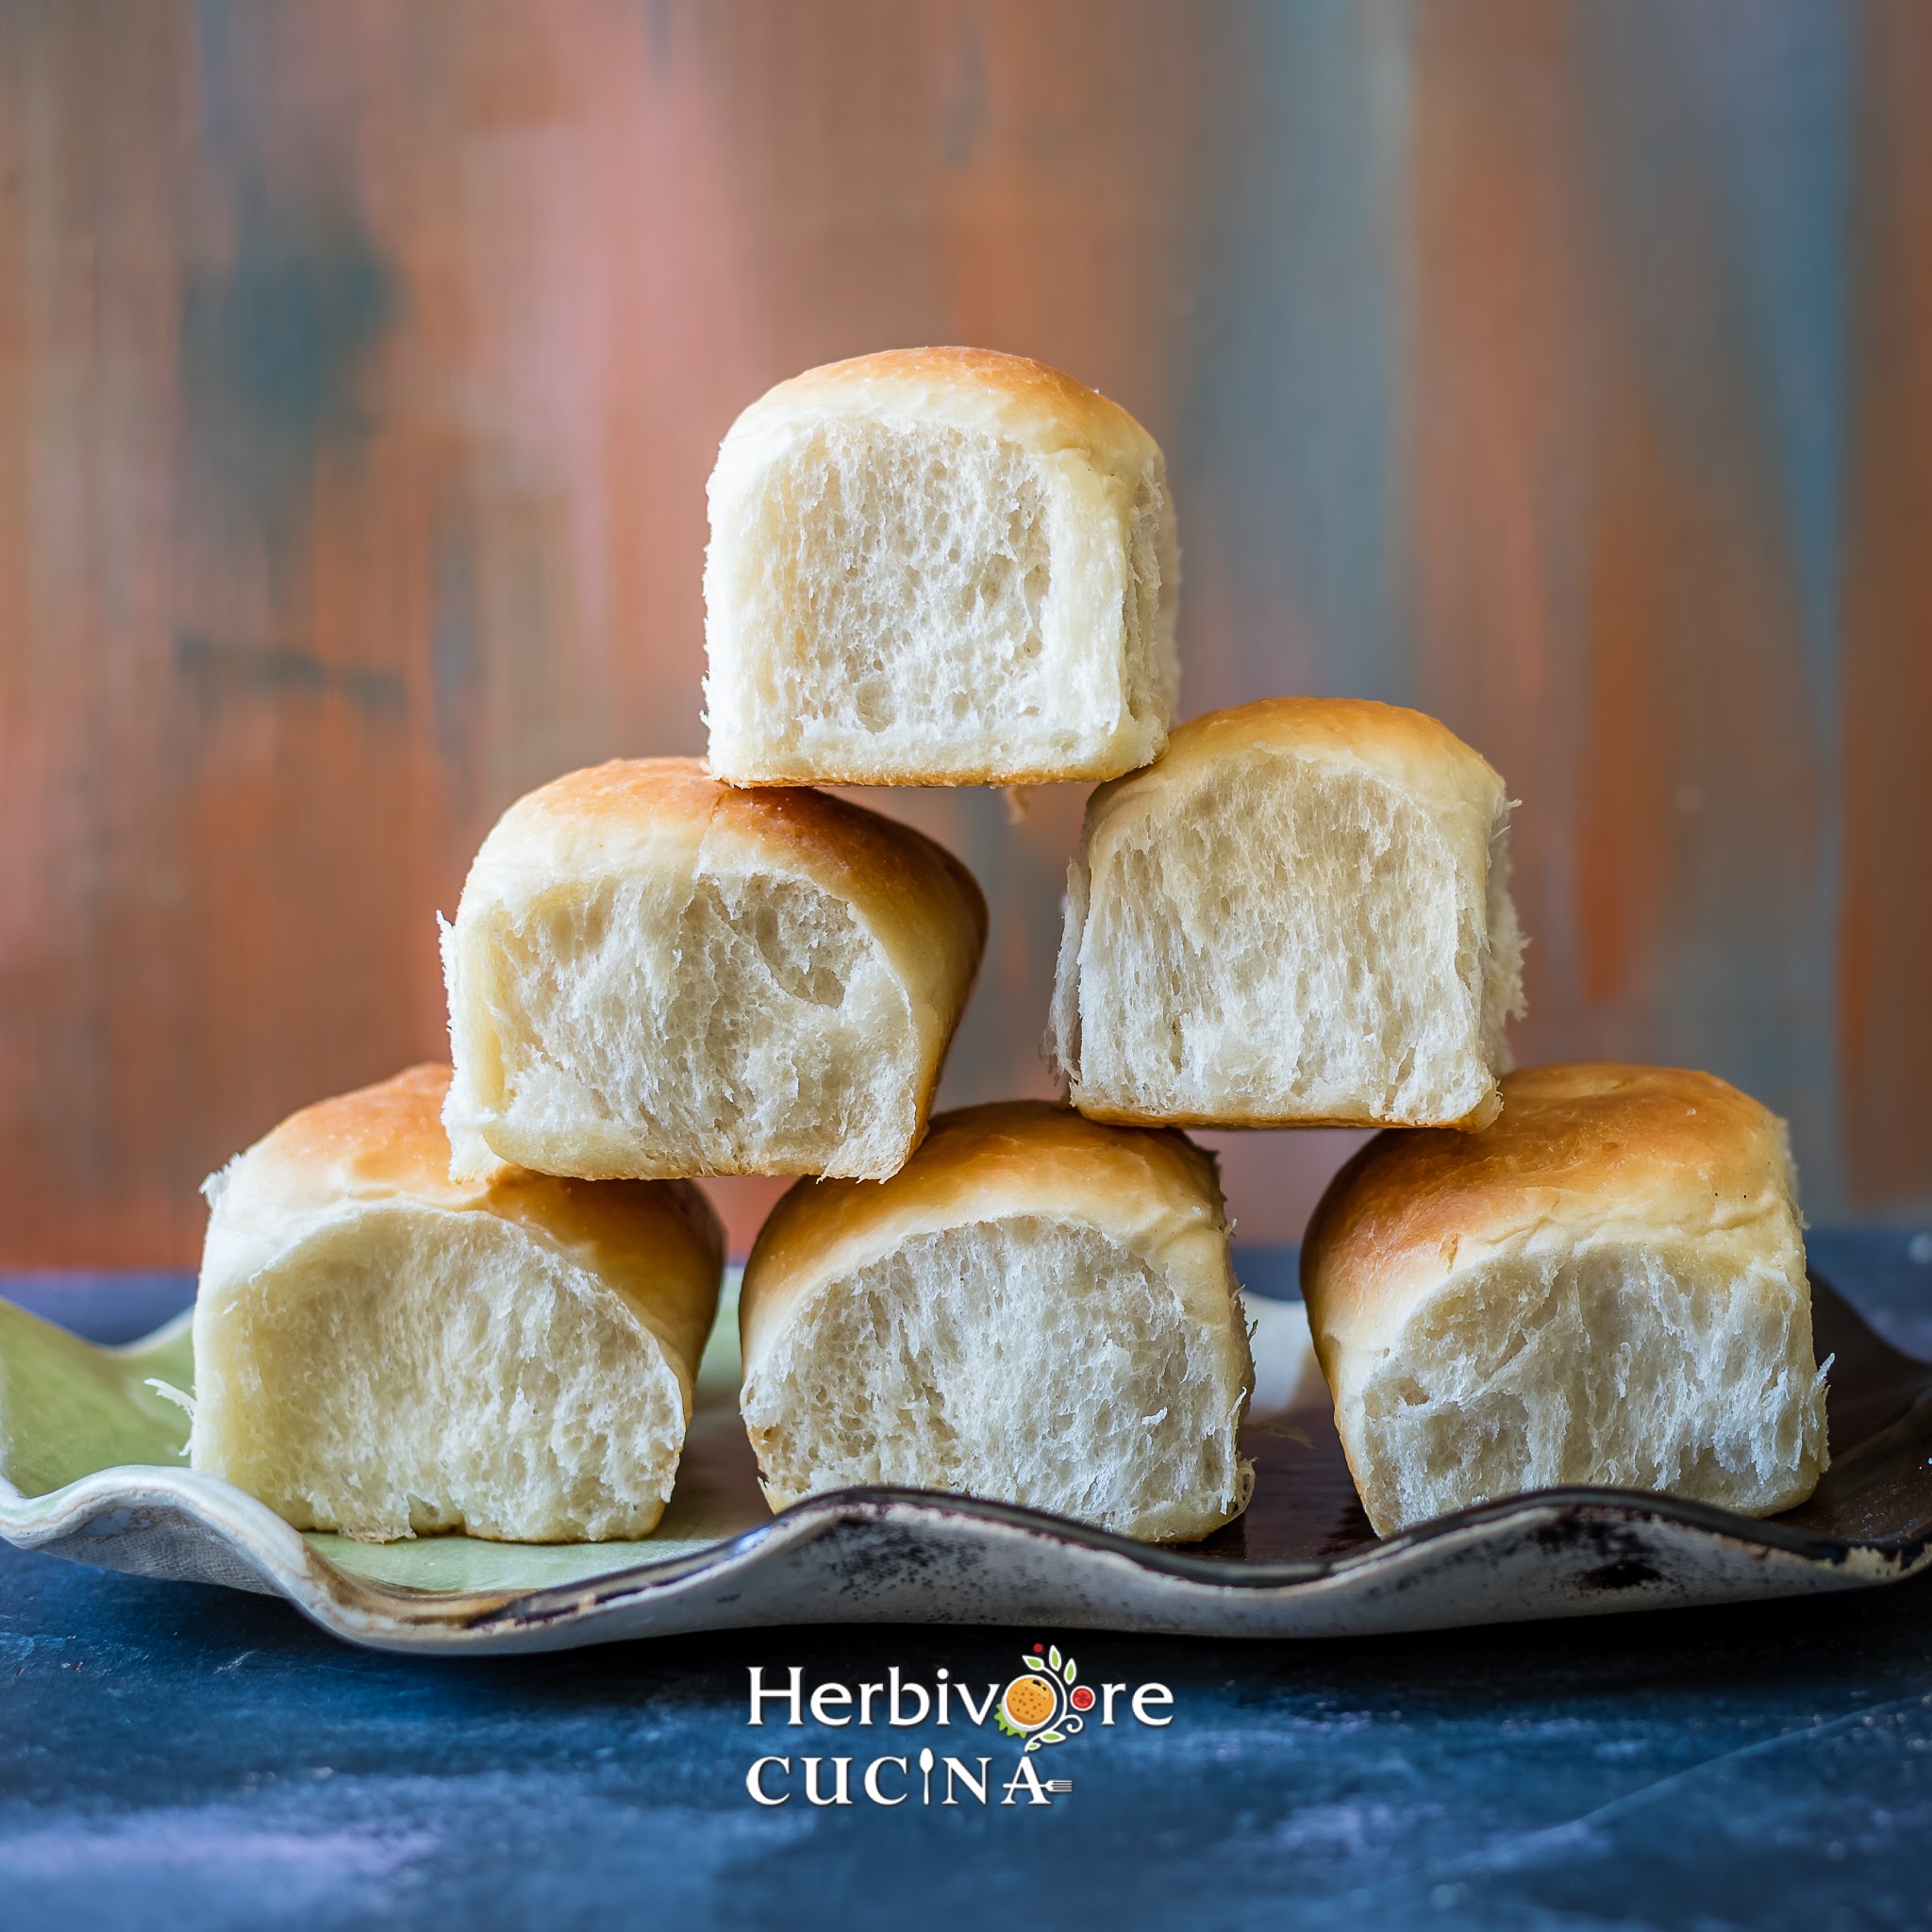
(671, 1025)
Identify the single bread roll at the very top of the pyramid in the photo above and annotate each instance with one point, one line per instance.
(938, 567)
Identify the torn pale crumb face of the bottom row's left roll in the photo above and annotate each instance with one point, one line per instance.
(405, 1371)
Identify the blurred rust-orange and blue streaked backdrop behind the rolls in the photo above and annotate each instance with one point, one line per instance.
(1560, 368)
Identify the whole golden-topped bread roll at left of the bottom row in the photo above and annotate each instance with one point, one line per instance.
(385, 1353)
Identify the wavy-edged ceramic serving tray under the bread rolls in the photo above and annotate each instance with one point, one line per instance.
(92, 1469)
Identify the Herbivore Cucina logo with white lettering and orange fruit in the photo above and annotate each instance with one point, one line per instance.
(1048, 1703)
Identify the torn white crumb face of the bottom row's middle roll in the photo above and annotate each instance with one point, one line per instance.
(1023, 1359)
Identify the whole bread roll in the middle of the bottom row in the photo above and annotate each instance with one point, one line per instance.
(1035, 1311)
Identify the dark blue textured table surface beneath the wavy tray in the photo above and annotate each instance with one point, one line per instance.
(186, 1757)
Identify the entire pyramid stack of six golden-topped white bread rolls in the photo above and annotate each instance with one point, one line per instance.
(474, 1297)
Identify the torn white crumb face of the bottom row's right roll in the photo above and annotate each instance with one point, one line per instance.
(1618, 1363)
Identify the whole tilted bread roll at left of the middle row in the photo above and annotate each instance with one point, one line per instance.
(656, 975)
